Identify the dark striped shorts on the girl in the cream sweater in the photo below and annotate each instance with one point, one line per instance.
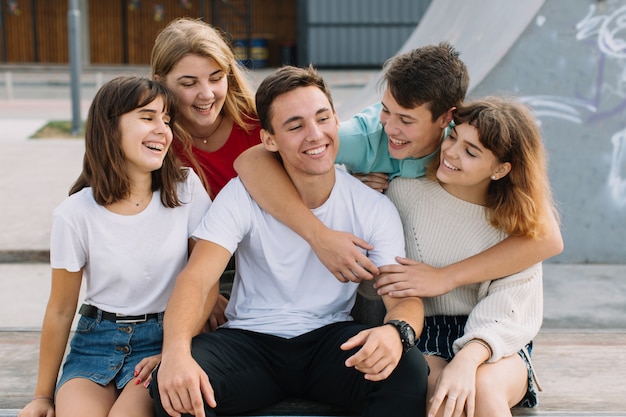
(439, 335)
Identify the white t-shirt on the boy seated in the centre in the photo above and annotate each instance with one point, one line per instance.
(281, 287)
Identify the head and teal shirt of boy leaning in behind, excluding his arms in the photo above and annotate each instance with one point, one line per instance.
(400, 135)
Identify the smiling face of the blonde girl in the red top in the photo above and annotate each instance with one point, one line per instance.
(200, 87)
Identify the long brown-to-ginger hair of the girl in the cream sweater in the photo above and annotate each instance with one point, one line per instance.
(519, 203)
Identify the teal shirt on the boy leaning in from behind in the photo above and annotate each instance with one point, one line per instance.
(363, 148)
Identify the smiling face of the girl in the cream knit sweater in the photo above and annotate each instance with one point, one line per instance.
(466, 167)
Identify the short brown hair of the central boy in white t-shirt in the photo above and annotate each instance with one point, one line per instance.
(282, 81)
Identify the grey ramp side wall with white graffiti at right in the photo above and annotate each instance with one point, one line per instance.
(569, 66)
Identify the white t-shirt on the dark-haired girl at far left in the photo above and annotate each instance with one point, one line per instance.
(130, 262)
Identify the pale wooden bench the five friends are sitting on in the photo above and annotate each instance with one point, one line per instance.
(582, 374)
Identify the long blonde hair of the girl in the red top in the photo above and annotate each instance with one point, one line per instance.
(187, 36)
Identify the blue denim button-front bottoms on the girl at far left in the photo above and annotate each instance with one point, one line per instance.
(103, 351)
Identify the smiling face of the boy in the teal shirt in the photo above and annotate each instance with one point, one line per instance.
(412, 133)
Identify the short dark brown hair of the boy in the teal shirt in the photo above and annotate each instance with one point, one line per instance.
(432, 75)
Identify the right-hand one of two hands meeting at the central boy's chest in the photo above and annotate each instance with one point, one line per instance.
(412, 279)
